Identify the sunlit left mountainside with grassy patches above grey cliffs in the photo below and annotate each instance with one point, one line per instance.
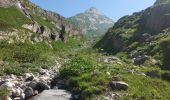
(24, 21)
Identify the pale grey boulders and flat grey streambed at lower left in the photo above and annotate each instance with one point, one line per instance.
(35, 86)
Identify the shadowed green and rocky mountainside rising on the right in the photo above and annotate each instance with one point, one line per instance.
(143, 33)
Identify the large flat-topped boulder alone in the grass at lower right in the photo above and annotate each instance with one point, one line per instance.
(119, 85)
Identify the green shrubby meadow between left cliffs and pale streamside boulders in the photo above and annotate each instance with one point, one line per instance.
(19, 58)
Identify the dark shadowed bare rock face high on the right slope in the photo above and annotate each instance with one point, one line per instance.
(156, 18)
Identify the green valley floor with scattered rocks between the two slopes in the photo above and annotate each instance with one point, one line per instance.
(83, 71)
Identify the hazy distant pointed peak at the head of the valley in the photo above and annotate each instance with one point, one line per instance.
(92, 21)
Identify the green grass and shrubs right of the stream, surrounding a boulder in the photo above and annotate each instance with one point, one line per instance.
(89, 78)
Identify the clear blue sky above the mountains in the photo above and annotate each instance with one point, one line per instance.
(114, 9)
